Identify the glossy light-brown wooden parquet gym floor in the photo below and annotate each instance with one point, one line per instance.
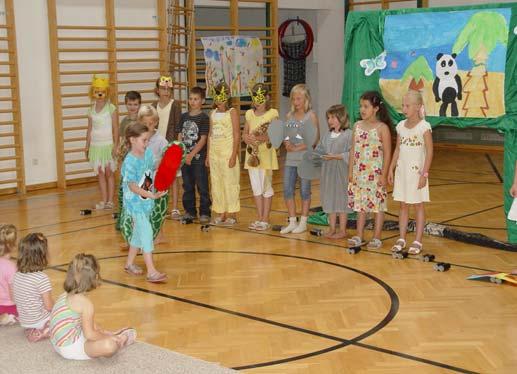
(266, 303)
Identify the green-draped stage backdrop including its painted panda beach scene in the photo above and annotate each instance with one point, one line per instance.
(463, 59)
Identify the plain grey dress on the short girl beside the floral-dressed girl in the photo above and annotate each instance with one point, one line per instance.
(334, 173)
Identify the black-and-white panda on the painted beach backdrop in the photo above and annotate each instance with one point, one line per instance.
(447, 84)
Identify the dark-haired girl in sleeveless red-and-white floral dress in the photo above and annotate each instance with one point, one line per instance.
(369, 162)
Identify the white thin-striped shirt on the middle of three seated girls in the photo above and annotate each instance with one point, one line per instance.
(27, 290)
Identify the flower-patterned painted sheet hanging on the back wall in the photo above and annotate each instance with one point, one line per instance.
(236, 60)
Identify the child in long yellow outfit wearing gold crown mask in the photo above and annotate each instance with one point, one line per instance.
(223, 145)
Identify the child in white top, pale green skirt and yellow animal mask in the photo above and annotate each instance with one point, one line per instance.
(102, 139)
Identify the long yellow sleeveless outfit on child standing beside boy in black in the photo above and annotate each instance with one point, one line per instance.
(224, 181)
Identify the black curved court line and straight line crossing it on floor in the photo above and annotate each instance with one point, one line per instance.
(343, 342)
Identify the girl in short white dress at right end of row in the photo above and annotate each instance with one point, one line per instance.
(409, 168)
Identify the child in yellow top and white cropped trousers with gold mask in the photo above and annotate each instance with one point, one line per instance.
(261, 157)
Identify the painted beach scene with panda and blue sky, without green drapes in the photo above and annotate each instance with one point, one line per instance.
(456, 58)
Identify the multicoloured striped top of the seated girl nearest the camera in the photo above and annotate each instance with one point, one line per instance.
(65, 324)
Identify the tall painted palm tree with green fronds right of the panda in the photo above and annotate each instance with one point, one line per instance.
(481, 34)
